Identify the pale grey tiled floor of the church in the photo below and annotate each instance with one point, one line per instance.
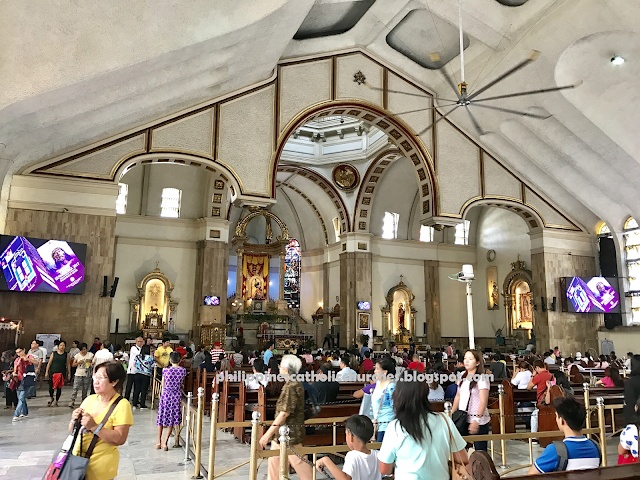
(27, 447)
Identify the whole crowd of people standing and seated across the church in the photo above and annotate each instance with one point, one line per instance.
(395, 410)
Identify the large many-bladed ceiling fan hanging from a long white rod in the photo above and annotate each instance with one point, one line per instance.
(467, 99)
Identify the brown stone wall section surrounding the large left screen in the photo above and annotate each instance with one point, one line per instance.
(73, 316)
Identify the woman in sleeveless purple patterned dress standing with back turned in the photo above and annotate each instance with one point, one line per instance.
(169, 411)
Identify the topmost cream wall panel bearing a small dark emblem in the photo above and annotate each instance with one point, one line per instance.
(347, 66)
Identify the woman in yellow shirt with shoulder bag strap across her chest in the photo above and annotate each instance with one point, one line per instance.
(108, 379)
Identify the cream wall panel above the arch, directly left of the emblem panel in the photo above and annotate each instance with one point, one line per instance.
(302, 85)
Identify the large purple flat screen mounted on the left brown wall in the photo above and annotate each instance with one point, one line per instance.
(41, 265)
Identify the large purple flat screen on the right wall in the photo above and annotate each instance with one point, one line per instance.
(592, 295)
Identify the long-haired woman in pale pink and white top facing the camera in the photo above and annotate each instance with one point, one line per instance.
(470, 413)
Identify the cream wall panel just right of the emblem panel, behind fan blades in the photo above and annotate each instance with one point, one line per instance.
(397, 102)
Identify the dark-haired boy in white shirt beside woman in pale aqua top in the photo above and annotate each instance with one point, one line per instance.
(360, 463)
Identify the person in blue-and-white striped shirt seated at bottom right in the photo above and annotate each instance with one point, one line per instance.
(581, 452)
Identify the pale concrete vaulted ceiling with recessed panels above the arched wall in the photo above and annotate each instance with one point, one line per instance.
(73, 74)
